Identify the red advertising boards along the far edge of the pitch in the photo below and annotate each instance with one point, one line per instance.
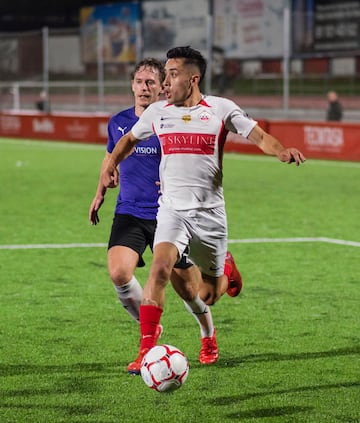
(322, 140)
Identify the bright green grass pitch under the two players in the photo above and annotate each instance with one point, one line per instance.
(289, 344)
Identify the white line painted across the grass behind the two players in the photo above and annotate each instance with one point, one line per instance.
(230, 241)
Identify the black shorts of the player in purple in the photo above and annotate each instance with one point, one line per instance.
(137, 234)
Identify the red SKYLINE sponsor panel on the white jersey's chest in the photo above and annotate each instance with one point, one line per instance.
(188, 143)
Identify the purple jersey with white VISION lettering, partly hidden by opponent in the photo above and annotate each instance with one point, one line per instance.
(138, 194)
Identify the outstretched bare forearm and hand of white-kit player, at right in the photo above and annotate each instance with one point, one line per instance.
(270, 145)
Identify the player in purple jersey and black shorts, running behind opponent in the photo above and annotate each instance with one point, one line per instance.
(135, 218)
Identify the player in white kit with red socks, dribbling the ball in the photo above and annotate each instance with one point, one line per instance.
(192, 129)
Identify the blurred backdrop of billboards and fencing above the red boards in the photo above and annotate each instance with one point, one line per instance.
(279, 57)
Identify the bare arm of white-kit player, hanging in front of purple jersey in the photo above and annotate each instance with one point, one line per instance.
(124, 147)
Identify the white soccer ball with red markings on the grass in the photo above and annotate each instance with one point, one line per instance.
(164, 368)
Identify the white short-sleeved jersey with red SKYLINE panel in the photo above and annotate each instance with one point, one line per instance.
(192, 142)
